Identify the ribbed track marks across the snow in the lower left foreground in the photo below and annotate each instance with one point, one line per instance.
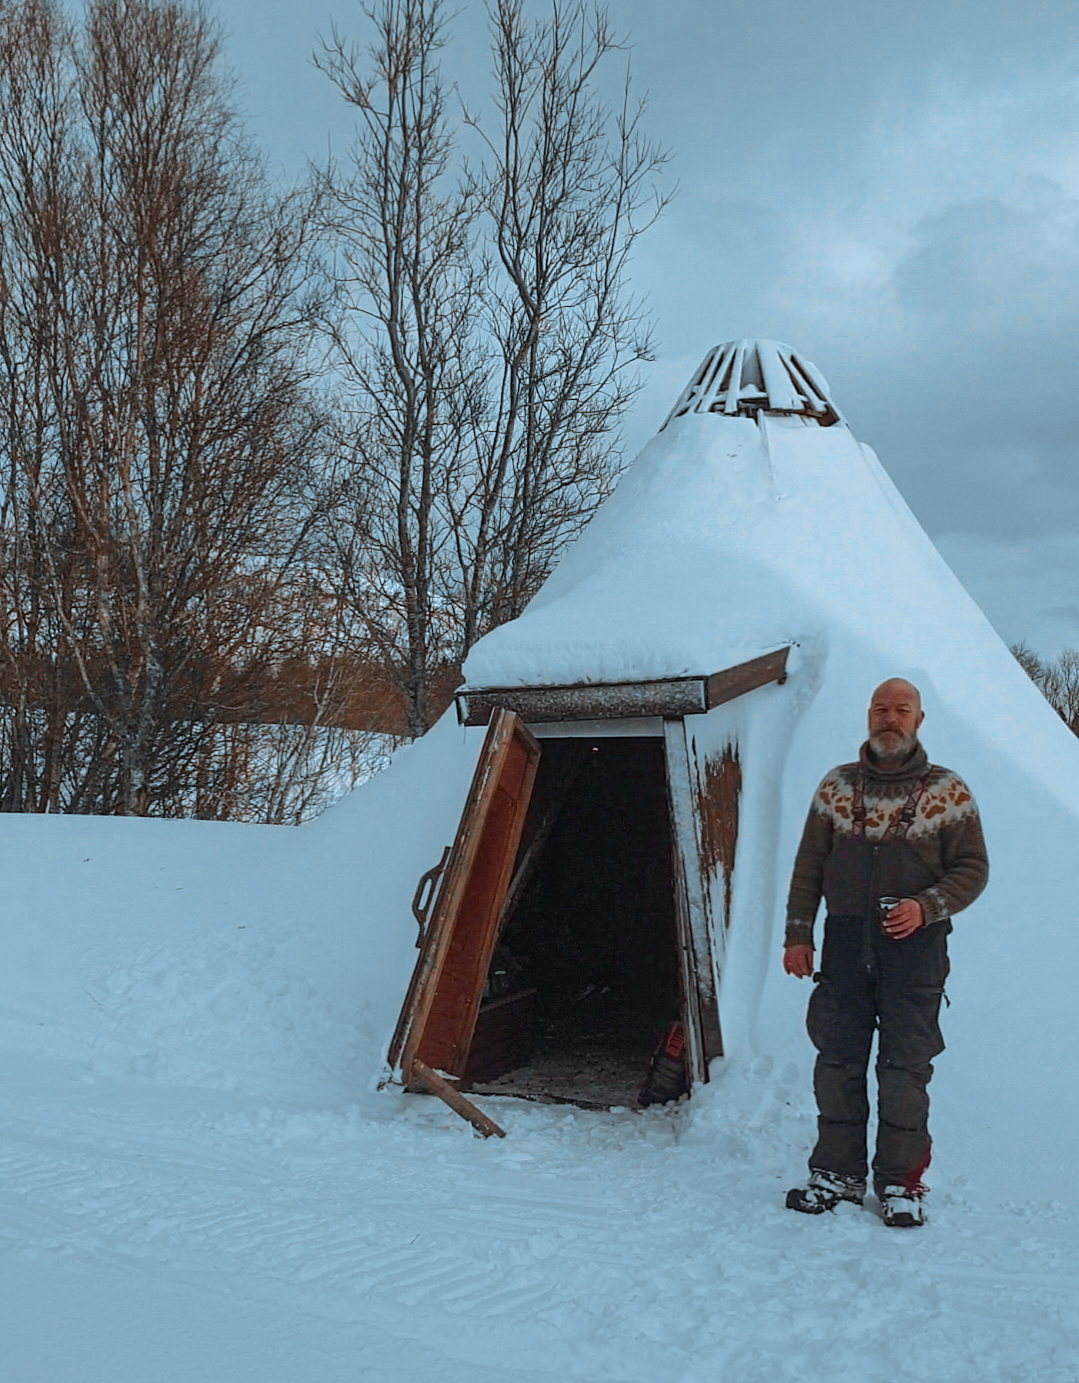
(203, 1214)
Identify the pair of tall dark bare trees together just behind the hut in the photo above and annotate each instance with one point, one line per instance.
(486, 338)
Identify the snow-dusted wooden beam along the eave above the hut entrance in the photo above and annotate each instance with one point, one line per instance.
(623, 700)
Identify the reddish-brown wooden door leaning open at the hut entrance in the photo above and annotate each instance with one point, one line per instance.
(439, 1016)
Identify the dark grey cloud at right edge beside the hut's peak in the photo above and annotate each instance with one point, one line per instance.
(979, 407)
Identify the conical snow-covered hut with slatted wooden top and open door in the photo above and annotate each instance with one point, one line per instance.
(699, 659)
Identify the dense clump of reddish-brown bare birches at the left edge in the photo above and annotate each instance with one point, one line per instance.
(157, 425)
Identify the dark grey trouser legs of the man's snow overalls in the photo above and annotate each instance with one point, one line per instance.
(868, 984)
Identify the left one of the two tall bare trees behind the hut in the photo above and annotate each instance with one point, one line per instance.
(405, 233)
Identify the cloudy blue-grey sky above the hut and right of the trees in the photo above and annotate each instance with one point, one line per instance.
(892, 190)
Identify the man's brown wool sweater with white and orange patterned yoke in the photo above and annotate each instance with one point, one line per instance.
(943, 862)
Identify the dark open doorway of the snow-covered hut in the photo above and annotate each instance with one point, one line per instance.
(586, 978)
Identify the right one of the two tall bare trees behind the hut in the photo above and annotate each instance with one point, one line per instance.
(568, 190)
